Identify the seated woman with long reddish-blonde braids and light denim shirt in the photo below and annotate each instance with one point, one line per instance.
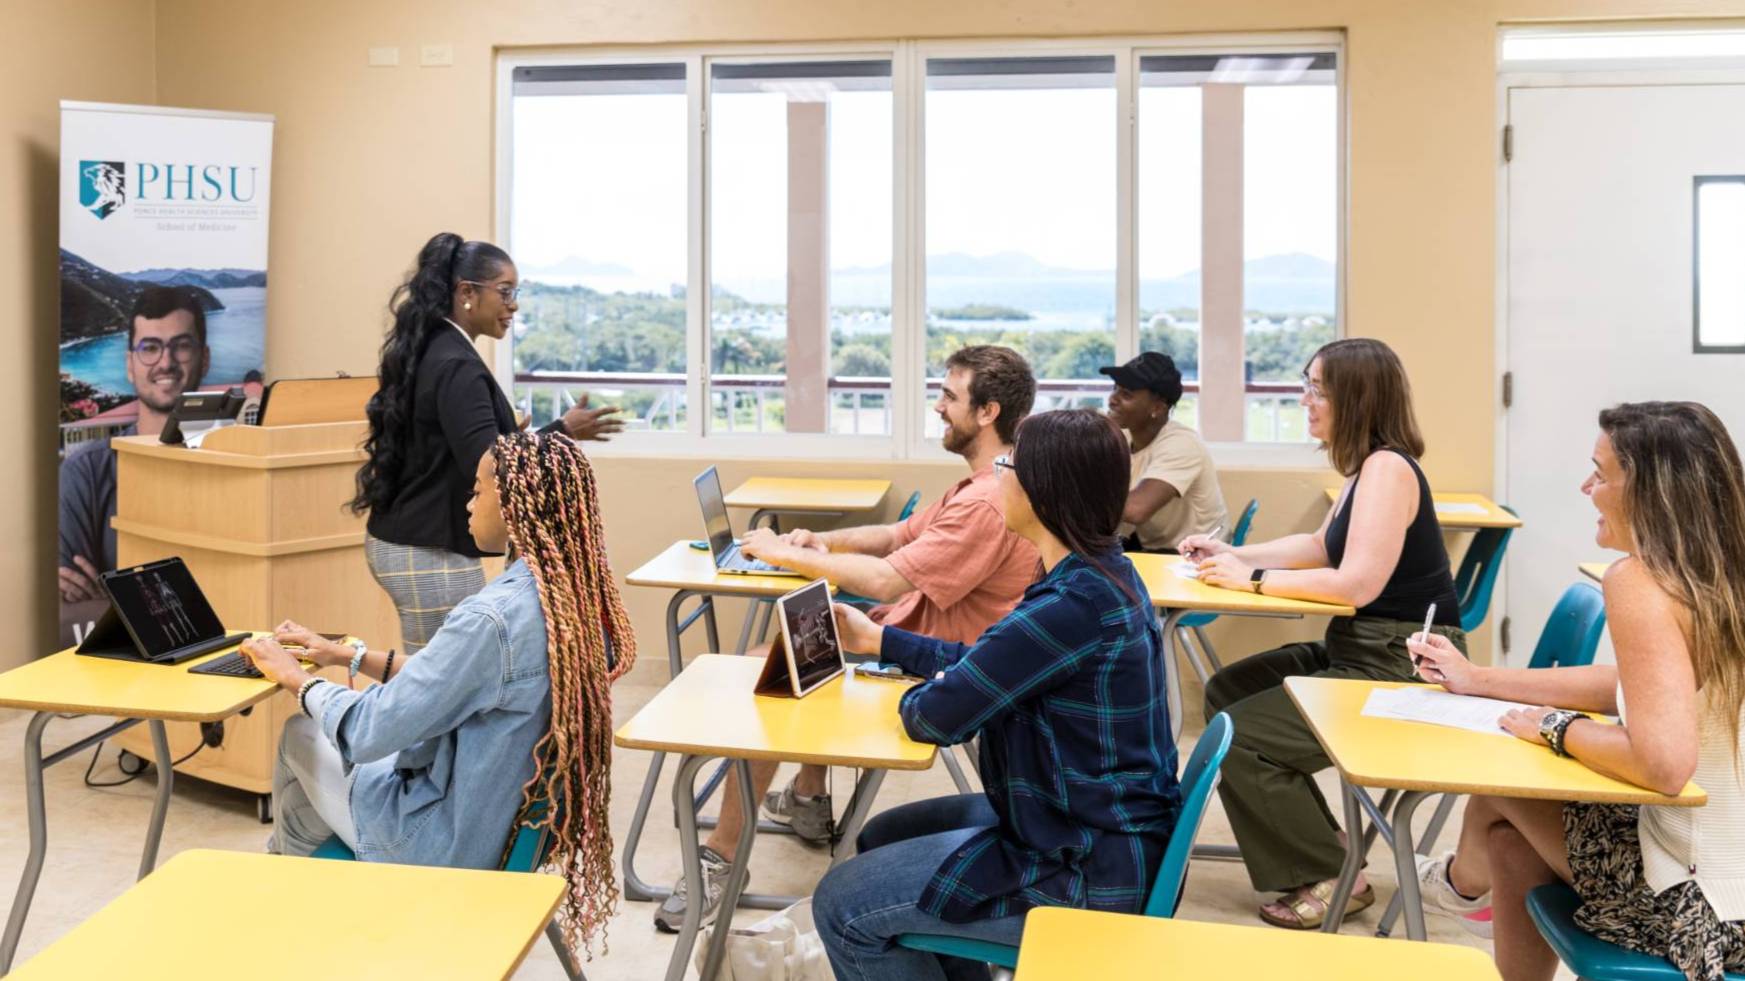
(510, 704)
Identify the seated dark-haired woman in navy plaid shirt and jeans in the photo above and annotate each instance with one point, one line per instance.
(1078, 762)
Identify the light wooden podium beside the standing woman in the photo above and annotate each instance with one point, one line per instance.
(259, 514)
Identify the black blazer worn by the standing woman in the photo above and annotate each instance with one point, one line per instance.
(458, 411)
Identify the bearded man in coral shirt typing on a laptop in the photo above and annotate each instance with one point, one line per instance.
(950, 572)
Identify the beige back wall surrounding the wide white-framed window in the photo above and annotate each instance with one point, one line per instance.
(374, 161)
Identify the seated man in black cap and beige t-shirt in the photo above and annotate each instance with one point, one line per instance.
(1174, 491)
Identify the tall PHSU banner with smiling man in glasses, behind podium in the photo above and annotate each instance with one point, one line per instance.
(163, 292)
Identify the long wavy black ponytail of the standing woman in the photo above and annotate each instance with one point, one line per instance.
(420, 308)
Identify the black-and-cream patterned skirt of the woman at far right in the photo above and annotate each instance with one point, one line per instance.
(1618, 907)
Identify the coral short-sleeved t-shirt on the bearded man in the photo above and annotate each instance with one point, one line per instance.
(968, 570)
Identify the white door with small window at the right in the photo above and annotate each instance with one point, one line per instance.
(1601, 200)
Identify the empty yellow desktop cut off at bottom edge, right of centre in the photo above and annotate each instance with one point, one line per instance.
(1071, 945)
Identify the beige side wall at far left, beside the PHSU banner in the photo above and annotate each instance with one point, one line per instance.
(93, 51)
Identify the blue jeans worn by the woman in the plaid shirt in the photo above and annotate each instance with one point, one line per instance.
(863, 905)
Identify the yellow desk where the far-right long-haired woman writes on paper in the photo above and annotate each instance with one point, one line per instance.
(1420, 760)
